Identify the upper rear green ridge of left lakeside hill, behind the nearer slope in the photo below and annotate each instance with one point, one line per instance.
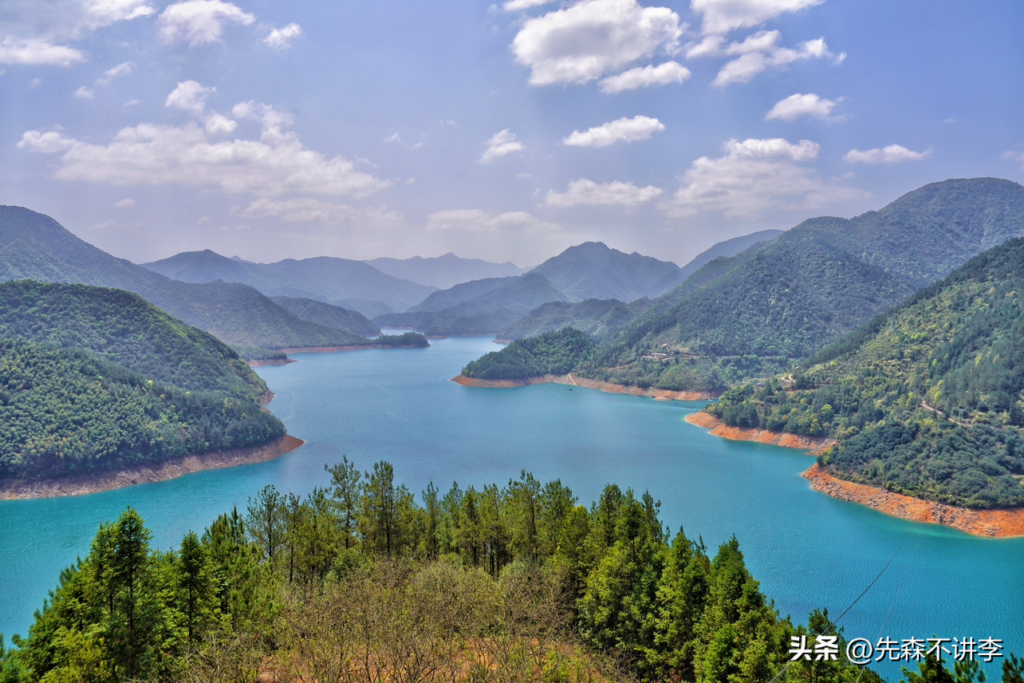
(124, 328)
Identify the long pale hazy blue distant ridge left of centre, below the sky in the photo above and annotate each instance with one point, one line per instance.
(323, 278)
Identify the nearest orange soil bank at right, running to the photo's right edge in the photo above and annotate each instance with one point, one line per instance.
(991, 524)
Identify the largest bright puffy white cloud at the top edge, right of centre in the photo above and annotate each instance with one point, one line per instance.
(582, 42)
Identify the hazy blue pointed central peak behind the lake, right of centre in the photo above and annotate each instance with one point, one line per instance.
(592, 271)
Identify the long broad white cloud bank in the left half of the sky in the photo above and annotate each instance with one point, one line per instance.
(155, 155)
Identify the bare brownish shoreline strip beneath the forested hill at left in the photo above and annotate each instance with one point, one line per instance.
(95, 483)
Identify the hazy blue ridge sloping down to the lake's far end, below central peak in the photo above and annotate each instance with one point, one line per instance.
(485, 314)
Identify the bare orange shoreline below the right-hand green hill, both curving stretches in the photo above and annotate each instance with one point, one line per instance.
(986, 524)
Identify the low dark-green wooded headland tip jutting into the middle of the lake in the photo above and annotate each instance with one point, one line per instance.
(551, 354)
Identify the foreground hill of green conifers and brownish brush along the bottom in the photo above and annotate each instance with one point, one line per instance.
(359, 582)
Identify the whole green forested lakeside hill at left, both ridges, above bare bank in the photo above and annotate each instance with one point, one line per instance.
(97, 378)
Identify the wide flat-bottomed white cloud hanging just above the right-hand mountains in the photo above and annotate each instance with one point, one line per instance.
(754, 177)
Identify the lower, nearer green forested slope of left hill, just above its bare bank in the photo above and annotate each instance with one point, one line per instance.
(66, 411)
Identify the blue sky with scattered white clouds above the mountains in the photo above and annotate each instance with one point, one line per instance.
(506, 132)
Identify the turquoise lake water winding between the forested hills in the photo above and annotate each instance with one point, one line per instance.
(807, 550)
